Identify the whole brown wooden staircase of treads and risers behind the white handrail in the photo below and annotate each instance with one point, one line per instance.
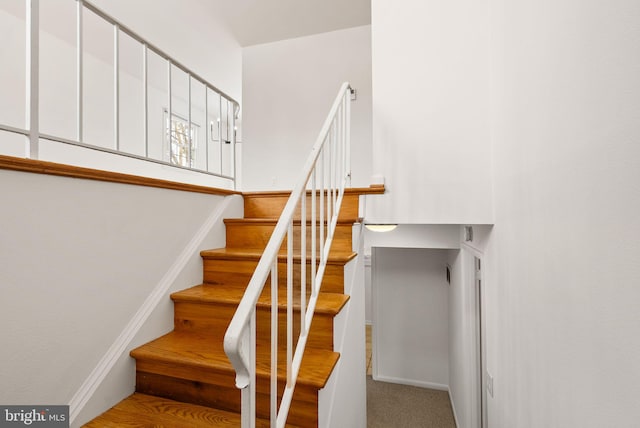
(184, 379)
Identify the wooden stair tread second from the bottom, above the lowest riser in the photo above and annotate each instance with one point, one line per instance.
(200, 351)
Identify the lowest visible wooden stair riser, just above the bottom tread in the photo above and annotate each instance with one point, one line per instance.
(226, 396)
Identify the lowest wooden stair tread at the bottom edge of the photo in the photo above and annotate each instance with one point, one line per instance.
(141, 410)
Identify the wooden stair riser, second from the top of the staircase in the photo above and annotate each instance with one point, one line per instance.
(257, 235)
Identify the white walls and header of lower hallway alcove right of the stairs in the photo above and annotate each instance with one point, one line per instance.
(423, 310)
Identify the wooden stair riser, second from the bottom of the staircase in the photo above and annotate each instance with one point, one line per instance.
(213, 319)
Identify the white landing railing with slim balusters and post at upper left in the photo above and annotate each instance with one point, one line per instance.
(206, 148)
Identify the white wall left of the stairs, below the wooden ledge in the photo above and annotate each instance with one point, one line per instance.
(79, 257)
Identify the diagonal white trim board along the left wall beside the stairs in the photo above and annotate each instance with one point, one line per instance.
(113, 354)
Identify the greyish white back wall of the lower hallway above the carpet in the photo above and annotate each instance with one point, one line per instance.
(410, 321)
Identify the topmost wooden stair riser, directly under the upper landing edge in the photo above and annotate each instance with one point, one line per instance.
(259, 206)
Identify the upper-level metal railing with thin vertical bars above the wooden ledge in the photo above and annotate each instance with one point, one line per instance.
(160, 112)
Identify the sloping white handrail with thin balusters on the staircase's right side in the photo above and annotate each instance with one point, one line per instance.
(240, 341)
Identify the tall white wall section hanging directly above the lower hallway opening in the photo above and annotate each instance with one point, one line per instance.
(431, 111)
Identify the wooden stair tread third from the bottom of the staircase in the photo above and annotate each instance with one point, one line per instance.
(231, 294)
